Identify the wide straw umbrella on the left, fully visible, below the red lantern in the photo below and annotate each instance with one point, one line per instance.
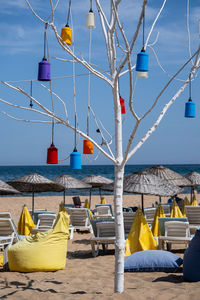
(35, 183)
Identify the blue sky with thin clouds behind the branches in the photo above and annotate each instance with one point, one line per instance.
(176, 139)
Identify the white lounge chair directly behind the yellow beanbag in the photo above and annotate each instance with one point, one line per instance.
(45, 222)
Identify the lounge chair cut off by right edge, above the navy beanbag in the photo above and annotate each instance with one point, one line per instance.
(193, 215)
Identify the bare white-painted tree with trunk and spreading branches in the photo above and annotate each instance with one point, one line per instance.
(115, 38)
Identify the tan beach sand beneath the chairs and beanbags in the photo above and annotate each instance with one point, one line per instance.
(86, 277)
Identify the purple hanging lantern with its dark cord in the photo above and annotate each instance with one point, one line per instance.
(44, 73)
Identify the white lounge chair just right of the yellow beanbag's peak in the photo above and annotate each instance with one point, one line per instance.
(80, 219)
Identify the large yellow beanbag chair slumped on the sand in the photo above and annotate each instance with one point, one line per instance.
(44, 251)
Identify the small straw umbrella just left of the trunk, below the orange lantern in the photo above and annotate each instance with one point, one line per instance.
(96, 181)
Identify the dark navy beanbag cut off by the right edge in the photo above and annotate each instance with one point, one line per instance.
(191, 260)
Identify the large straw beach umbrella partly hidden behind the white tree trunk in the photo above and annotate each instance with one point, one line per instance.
(146, 184)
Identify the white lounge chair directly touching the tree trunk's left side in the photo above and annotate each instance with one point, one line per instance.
(105, 236)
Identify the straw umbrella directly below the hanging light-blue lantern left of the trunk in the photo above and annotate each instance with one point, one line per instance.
(70, 182)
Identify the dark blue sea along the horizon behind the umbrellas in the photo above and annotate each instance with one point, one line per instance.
(50, 171)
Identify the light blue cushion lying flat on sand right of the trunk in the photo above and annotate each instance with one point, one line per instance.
(152, 261)
